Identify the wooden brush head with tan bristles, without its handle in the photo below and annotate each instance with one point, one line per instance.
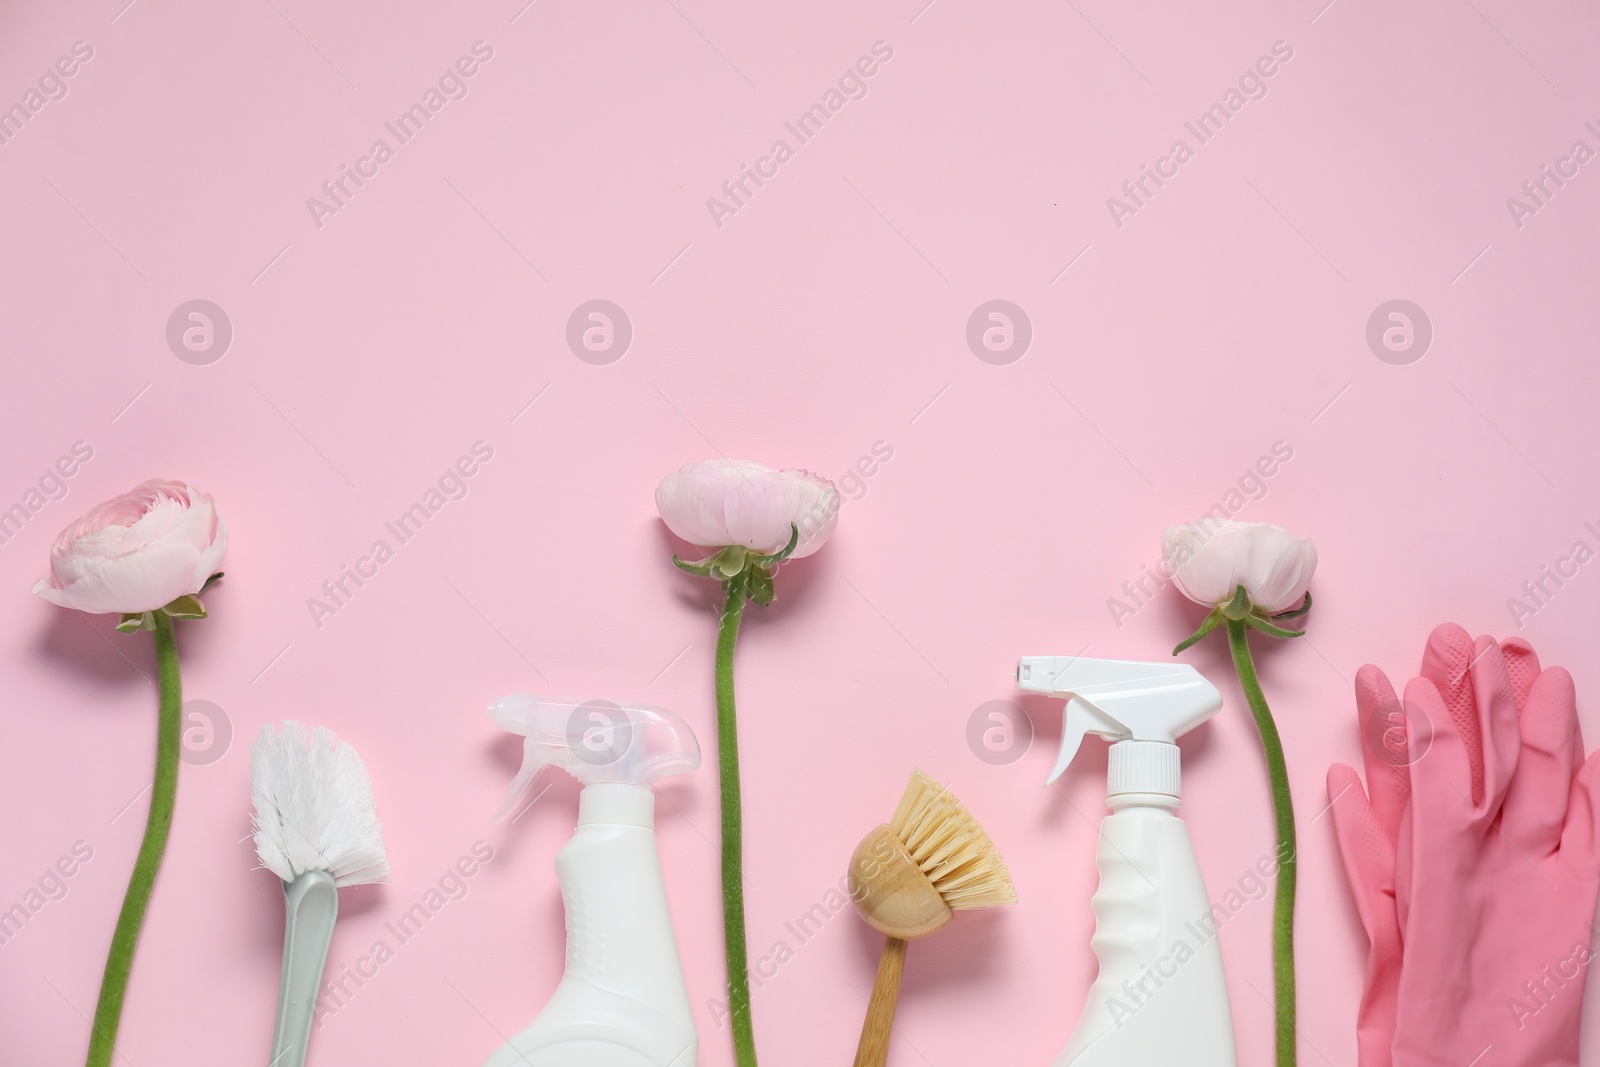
(911, 876)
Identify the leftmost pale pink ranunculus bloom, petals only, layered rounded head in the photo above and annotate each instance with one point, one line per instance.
(137, 553)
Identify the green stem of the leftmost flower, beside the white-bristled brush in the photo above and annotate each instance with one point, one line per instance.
(114, 985)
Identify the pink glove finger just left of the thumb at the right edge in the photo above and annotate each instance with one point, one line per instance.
(1540, 794)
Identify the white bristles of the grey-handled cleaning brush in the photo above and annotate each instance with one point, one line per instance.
(314, 807)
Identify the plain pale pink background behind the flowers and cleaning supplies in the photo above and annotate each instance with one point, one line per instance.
(825, 318)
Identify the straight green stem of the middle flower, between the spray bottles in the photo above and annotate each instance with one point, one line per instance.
(732, 823)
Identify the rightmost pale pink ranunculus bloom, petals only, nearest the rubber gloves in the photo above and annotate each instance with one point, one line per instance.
(1210, 559)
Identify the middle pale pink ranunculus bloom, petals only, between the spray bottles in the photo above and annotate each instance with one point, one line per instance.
(719, 503)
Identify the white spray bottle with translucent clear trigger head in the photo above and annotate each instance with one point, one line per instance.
(622, 1001)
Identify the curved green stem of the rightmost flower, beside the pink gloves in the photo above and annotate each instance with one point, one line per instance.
(1284, 815)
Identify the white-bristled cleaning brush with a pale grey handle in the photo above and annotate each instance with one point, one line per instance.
(316, 829)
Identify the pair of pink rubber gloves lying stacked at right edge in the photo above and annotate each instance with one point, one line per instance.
(1497, 865)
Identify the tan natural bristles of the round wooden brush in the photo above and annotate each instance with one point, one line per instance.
(951, 849)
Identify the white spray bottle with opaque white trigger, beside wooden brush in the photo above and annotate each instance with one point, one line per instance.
(1161, 996)
